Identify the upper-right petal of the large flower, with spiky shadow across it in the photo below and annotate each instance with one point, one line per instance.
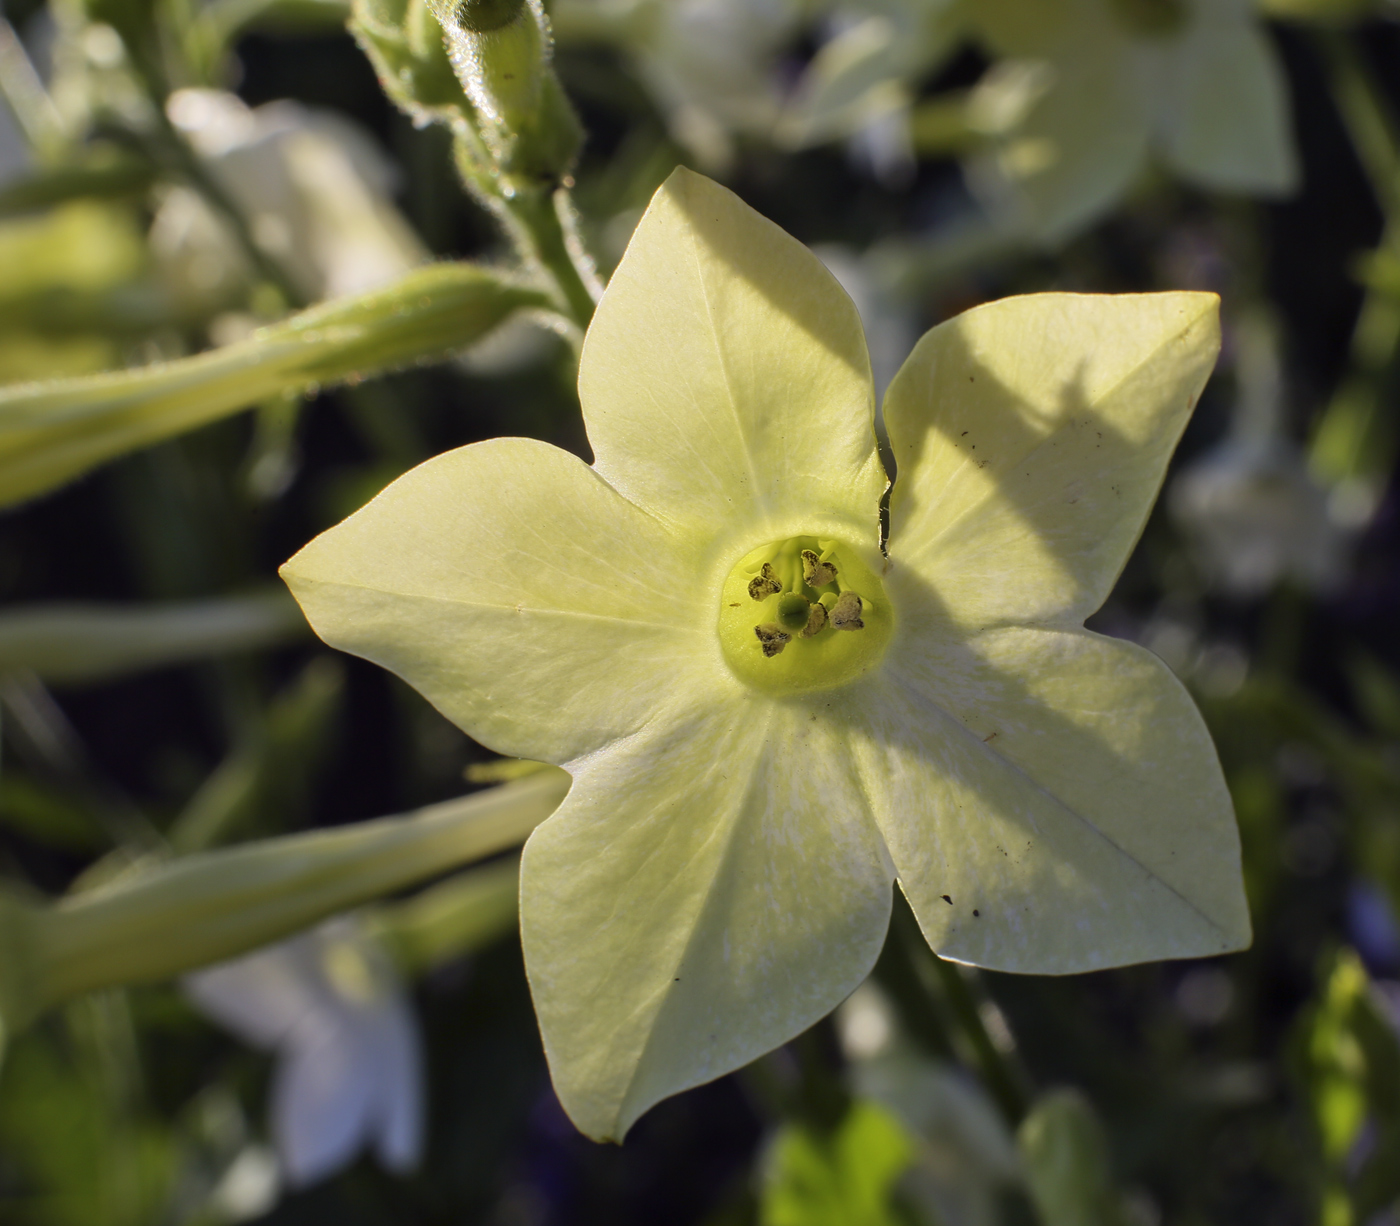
(1031, 437)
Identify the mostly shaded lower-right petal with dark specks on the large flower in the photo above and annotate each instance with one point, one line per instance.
(1052, 801)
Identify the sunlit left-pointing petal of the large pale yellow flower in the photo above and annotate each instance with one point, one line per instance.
(521, 596)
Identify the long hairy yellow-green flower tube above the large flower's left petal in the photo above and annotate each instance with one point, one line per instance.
(52, 433)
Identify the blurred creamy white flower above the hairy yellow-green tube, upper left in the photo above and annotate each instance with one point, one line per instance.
(313, 188)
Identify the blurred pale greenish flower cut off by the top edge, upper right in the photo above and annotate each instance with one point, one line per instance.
(1086, 90)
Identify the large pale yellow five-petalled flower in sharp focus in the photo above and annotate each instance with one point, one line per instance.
(752, 775)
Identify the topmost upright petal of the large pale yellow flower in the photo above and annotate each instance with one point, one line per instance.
(724, 377)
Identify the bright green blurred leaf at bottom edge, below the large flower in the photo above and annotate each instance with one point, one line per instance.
(843, 1179)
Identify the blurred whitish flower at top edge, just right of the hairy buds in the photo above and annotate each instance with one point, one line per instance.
(709, 65)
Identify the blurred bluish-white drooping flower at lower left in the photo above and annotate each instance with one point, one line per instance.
(349, 1066)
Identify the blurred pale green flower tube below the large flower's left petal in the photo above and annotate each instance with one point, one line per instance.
(213, 906)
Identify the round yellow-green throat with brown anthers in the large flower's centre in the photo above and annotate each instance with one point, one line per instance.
(806, 614)
